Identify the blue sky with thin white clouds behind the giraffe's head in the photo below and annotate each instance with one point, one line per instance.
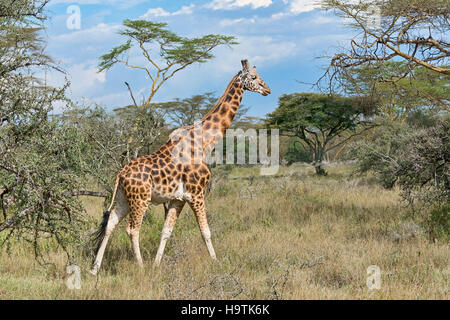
(282, 38)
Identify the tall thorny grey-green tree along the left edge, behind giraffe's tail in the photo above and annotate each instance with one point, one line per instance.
(40, 166)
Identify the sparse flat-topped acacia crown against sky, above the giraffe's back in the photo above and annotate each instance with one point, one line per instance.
(166, 52)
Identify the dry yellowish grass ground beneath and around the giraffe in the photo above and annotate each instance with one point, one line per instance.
(289, 236)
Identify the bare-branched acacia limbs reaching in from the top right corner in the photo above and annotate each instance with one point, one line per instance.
(412, 31)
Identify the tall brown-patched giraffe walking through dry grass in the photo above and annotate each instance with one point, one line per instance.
(162, 178)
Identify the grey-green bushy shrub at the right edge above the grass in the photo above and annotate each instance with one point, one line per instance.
(418, 161)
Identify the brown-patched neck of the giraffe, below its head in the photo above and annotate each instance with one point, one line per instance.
(219, 118)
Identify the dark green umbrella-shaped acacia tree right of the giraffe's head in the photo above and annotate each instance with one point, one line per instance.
(318, 119)
